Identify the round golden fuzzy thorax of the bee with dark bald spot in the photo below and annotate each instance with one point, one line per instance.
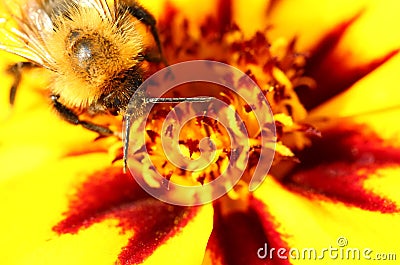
(114, 46)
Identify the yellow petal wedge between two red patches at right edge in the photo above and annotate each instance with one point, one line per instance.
(372, 101)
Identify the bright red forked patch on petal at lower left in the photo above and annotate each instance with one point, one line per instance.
(110, 194)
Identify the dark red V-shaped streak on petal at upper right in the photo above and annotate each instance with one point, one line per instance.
(330, 71)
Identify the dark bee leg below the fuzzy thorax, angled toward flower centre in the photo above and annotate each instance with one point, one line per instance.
(69, 116)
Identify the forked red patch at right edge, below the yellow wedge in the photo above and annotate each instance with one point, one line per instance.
(337, 165)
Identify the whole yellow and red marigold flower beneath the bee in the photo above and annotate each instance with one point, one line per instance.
(329, 73)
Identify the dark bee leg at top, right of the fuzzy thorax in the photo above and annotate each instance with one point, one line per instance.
(148, 19)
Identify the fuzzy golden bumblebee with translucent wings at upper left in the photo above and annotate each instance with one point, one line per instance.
(96, 50)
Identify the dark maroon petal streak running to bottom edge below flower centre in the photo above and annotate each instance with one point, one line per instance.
(239, 235)
